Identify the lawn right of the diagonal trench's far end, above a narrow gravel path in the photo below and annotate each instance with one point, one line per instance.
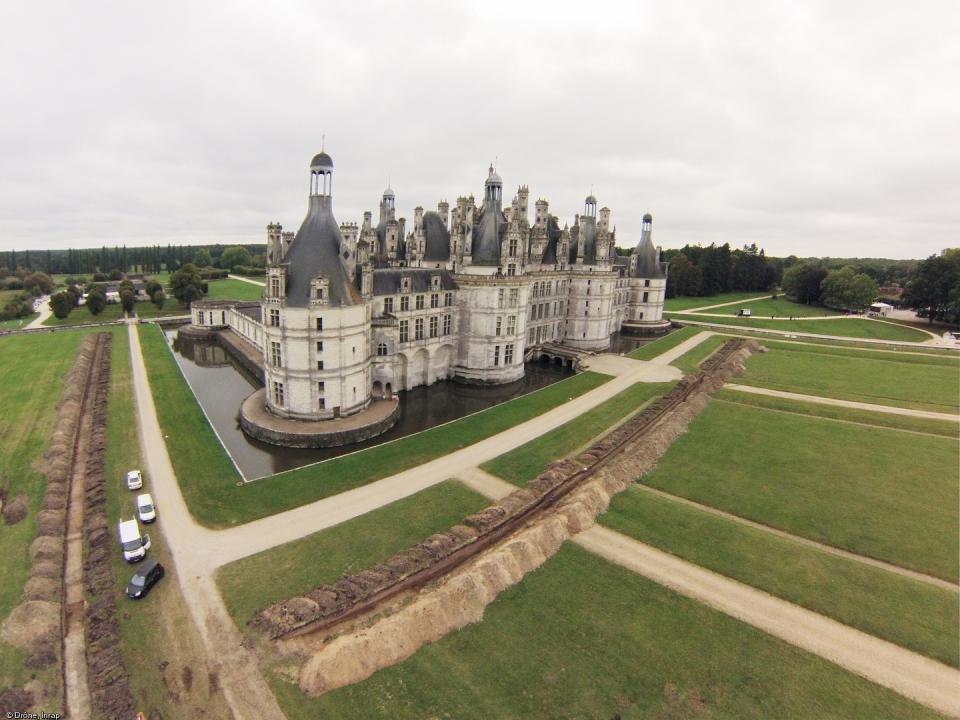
(884, 379)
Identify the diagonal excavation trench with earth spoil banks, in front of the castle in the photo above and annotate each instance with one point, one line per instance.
(347, 631)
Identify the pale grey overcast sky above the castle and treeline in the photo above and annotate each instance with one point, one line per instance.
(811, 128)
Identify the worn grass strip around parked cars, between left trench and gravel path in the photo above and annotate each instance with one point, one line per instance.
(157, 629)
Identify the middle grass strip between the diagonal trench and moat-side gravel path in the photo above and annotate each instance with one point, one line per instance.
(526, 462)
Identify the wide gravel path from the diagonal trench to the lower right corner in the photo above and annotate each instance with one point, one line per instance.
(907, 673)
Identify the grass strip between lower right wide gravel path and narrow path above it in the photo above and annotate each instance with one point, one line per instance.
(909, 613)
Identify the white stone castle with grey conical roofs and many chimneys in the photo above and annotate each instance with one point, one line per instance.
(354, 313)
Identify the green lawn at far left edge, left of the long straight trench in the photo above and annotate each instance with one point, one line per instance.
(34, 368)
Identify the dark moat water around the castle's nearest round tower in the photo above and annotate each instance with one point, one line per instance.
(221, 385)
